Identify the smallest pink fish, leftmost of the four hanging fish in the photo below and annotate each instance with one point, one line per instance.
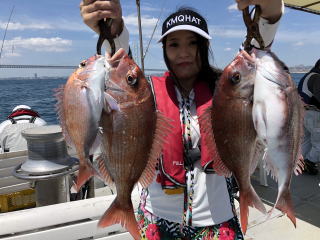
(80, 104)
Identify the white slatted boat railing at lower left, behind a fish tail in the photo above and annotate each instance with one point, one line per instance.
(64, 221)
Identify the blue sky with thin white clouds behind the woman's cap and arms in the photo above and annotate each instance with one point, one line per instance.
(52, 32)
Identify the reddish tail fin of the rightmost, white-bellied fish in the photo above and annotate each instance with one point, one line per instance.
(284, 204)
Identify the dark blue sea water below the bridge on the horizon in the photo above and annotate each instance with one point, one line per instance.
(39, 95)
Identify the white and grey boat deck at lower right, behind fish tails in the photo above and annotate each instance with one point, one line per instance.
(305, 192)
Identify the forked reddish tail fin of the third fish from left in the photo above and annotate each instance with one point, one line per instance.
(249, 198)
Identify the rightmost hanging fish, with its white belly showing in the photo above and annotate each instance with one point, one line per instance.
(278, 119)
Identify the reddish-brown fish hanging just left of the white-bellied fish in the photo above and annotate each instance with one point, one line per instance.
(233, 128)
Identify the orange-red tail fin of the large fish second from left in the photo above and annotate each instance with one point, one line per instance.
(116, 214)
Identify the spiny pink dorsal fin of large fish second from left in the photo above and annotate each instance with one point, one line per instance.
(163, 128)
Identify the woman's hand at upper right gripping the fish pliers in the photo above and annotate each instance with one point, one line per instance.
(271, 9)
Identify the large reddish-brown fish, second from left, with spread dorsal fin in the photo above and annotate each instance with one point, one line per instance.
(133, 135)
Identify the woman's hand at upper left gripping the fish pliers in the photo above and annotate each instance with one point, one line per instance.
(94, 10)
